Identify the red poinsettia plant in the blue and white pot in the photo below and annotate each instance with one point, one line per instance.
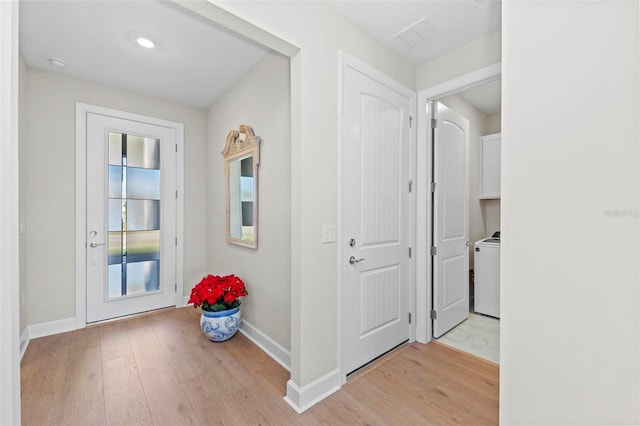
(218, 293)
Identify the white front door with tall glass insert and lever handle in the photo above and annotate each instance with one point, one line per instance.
(131, 216)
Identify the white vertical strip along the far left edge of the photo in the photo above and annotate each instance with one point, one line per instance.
(9, 219)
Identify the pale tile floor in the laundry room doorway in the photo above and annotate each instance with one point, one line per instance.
(478, 335)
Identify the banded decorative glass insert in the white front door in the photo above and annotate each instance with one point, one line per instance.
(133, 215)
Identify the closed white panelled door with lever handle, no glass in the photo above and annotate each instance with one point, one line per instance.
(376, 148)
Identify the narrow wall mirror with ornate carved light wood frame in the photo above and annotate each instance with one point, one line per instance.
(241, 159)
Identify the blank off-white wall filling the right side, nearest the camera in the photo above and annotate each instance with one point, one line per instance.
(570, 332)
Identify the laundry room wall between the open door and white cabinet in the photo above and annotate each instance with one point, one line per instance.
(478, 124)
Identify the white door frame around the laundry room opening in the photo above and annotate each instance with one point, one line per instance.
(423, 333)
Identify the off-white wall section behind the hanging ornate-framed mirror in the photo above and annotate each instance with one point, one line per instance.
(262, 100)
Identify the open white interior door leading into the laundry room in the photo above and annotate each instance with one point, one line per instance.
(450, 252)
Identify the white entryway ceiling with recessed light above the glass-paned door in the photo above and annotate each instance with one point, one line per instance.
(193, 62)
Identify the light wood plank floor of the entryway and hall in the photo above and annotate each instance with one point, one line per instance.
(161, 370)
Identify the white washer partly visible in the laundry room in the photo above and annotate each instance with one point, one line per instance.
(486, 258)
